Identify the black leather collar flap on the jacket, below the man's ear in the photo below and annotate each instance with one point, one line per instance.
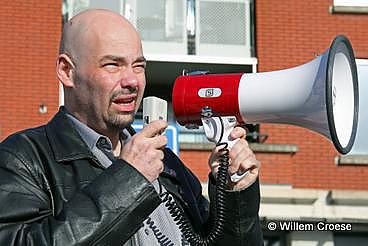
(65, 141)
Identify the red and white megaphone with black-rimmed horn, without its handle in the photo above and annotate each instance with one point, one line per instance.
(321, 95)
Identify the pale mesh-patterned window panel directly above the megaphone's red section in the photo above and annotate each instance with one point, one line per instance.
(223, 28)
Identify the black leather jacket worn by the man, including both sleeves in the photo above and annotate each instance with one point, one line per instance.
(53, 191)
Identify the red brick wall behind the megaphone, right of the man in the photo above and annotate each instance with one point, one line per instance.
(290, 33)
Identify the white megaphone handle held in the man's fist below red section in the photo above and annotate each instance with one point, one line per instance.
(217, 130)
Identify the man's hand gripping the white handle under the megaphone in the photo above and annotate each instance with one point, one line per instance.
(242, 159)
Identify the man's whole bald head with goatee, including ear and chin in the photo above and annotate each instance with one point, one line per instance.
(102, 69)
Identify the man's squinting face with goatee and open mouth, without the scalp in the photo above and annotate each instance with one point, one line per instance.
(110, 79)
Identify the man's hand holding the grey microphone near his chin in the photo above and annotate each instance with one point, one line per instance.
(144, 150)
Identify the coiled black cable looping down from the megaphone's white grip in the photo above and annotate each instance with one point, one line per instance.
(219, 220)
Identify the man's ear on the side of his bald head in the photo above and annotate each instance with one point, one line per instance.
(65, 70)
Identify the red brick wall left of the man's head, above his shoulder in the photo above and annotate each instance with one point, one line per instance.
(30, 32)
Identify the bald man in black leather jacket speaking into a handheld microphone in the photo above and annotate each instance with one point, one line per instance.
(85, 179)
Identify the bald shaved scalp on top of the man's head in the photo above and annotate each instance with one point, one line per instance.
(91, 26)
